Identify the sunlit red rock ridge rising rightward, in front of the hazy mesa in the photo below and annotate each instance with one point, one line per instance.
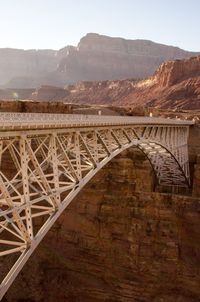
(174, 85)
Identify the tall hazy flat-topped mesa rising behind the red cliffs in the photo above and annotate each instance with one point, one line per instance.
(100, 57)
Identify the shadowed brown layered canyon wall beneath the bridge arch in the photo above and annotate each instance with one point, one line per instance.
(115, 243)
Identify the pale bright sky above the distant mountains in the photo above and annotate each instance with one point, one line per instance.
(57, 23)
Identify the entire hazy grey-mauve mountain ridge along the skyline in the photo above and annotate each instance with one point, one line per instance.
(96, 57)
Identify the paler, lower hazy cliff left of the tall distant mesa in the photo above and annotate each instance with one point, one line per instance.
(26, 68)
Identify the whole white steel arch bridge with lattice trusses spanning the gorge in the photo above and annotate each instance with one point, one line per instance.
(46, 159)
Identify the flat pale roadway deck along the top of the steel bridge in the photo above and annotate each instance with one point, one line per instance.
(17, 121)
